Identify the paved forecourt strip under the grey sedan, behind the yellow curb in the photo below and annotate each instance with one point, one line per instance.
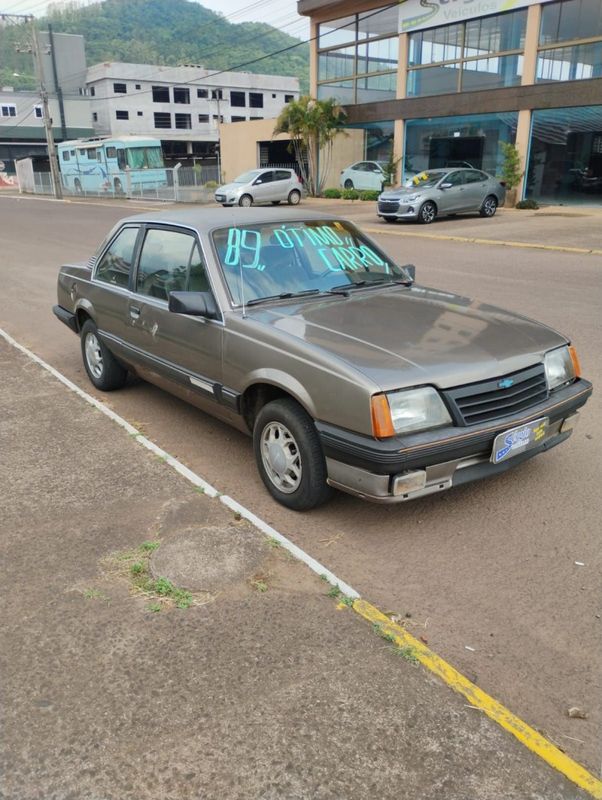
(558, 227)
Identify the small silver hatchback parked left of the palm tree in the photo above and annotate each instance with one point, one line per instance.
(262, 186)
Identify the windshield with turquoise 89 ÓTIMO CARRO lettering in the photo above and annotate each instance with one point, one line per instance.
(267, 261)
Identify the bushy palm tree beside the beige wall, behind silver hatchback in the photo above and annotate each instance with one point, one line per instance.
(312, 126)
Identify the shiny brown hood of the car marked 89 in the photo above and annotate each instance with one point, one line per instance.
(401, 337)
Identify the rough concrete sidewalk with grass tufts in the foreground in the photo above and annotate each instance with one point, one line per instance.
(260, 688)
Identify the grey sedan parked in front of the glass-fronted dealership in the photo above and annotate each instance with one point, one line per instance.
(437, 192)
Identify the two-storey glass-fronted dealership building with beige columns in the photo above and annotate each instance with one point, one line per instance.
(459, 85)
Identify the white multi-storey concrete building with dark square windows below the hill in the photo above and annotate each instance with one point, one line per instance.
(182, 106)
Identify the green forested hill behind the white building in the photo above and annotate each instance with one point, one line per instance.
(165, 32)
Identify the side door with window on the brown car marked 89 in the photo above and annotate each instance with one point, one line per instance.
(179, 348)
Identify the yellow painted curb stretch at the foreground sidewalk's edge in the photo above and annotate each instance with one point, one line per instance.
(479, 699)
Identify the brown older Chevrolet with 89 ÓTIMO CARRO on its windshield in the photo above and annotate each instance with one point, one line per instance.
(303, 333)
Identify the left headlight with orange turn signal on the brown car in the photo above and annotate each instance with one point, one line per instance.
(408, 410)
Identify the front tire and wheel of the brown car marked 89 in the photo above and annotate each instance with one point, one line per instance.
(294, 473)
